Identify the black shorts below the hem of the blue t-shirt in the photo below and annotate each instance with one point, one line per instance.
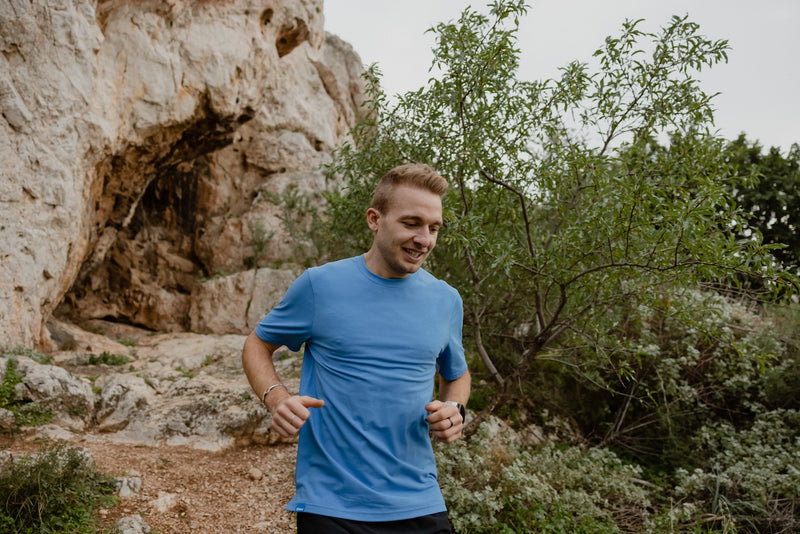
(320, 524)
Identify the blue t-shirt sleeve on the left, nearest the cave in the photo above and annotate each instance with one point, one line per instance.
(290, 322)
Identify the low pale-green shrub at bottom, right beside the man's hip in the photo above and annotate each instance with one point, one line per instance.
(494, 484)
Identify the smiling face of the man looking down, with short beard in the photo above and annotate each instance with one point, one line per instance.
(406, 233)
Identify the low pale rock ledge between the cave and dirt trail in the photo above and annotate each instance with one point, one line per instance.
(163, 389)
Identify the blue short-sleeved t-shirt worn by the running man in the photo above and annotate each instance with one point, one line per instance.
(373, 346)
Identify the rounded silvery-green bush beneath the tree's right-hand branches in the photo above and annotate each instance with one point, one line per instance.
(693, 358)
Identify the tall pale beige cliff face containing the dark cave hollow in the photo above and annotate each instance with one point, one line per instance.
(143, 147)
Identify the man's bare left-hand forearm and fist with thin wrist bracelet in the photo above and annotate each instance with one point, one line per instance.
(289, 412)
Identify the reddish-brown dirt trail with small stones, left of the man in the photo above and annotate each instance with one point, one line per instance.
(187, 490)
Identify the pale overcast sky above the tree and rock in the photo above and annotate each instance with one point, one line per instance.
(759, 86)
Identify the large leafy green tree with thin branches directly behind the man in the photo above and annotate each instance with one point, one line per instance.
(562, 217)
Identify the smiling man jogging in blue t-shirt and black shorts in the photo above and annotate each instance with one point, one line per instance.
(376, 328)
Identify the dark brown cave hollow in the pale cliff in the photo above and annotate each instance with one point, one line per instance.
(144, 264)
